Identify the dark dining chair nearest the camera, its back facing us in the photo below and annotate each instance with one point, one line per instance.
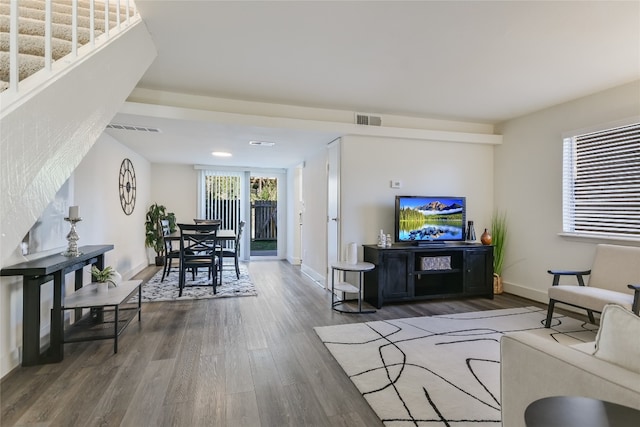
(198, 244)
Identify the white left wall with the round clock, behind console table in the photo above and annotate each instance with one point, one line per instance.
(94, 188)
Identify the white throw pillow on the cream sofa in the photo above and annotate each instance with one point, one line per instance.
(618, 339)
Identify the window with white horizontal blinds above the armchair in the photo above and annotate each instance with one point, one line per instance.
(601, 182)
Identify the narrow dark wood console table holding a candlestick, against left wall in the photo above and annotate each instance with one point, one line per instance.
(34, 274)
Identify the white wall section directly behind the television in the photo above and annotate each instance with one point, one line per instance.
(425, 168)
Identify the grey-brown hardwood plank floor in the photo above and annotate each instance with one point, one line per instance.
(248, 361)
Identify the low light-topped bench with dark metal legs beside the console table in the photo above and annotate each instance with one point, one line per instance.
(88, 297)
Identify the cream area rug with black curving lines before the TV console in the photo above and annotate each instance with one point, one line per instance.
(438, 370)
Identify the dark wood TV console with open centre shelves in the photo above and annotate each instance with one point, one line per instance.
(406, 272)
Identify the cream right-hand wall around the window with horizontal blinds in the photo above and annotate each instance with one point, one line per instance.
(528, 187)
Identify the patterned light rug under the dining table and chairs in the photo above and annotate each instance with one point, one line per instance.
(154, 290)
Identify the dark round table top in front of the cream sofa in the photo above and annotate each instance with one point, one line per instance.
(573, 411)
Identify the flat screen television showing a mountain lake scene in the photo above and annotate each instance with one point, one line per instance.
(429, 219)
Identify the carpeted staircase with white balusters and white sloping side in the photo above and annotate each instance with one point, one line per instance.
(54, 107)
